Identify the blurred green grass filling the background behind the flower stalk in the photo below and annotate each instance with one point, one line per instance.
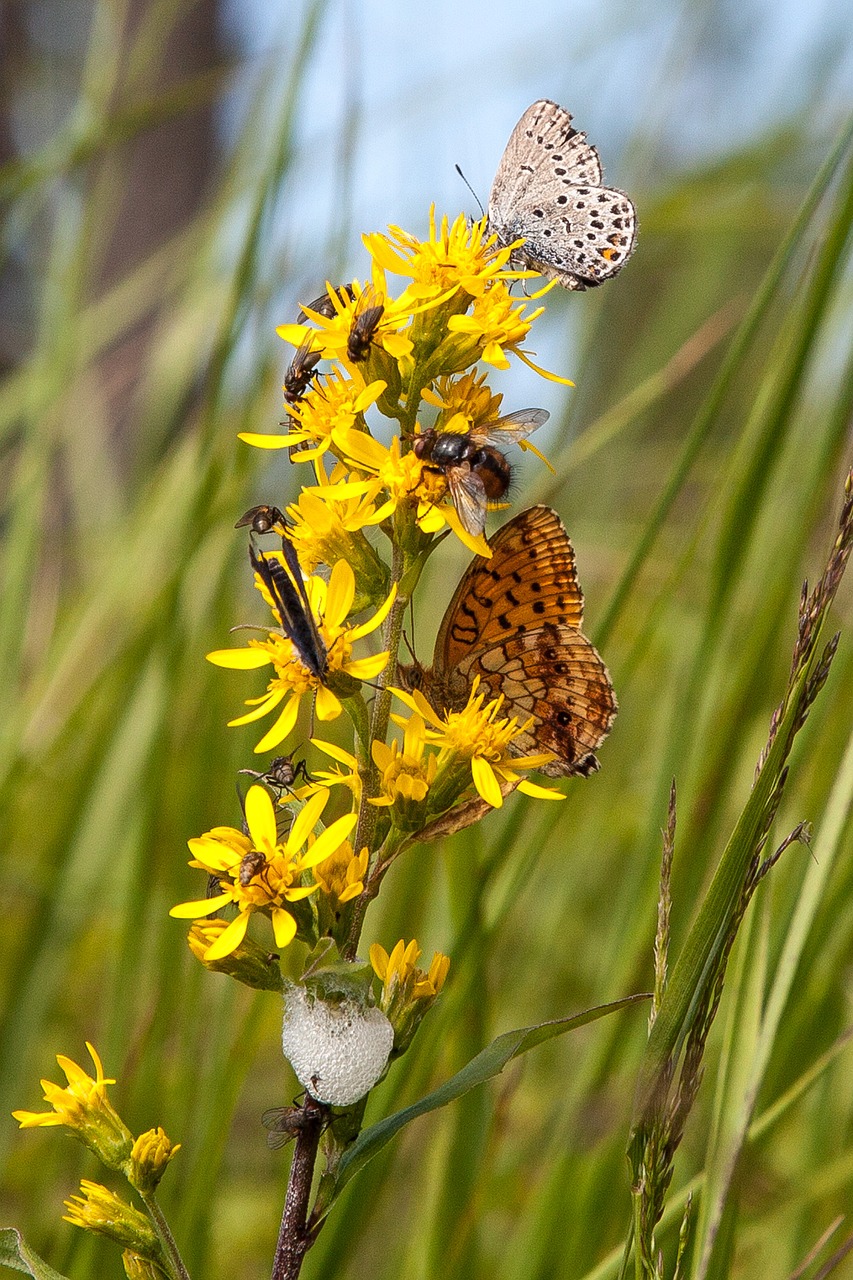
(697, 504)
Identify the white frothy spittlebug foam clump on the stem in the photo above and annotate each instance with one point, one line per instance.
(337, 1054)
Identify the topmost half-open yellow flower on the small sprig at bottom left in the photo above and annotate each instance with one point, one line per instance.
(86, 1110)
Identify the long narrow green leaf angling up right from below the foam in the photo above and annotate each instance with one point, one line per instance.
(487, 1064)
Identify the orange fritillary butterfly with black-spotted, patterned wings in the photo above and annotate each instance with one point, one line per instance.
(516, 623)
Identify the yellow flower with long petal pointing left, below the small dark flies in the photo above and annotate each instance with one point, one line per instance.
(335, 405)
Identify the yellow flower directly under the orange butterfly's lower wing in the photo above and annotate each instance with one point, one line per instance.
(481, 735)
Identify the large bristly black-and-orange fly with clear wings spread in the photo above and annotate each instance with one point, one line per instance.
(477, 472)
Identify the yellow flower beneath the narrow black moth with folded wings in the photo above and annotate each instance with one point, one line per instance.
(331, 605)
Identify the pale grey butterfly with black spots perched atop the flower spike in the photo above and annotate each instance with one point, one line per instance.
(549, 190)
